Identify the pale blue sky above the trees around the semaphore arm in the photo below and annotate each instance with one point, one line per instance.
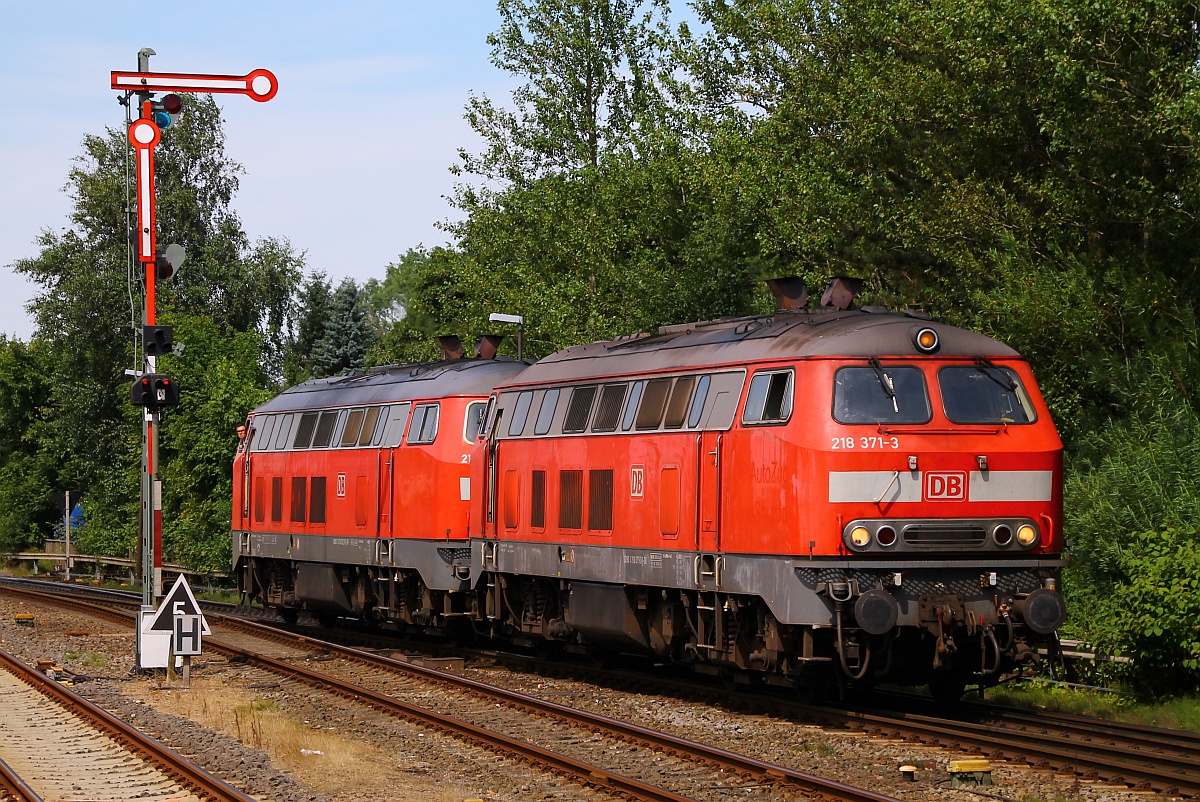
(350, 161)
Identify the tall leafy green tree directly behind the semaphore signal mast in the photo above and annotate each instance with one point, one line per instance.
(88, 312)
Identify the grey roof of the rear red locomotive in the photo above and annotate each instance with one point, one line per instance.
(451, 378)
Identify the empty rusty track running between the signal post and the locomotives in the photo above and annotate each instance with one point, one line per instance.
(651, 755)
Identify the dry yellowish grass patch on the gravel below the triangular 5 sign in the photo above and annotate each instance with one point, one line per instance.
(322, 759)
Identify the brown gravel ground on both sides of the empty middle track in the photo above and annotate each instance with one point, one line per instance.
(422, 765)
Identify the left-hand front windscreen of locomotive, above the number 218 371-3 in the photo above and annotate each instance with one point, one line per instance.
(881, 394)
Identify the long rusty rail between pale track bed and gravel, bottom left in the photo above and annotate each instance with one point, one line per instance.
(177, 767)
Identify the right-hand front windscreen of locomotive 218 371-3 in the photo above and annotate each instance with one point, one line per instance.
(985, 394)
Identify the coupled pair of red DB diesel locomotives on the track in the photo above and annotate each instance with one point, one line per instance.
(776, 496)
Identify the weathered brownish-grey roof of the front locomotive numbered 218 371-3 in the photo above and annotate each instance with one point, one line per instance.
(871, 332)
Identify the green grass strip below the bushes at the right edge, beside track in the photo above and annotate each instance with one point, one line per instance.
(1181, 714)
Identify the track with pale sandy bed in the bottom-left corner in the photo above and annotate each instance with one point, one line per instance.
(65, 747)
